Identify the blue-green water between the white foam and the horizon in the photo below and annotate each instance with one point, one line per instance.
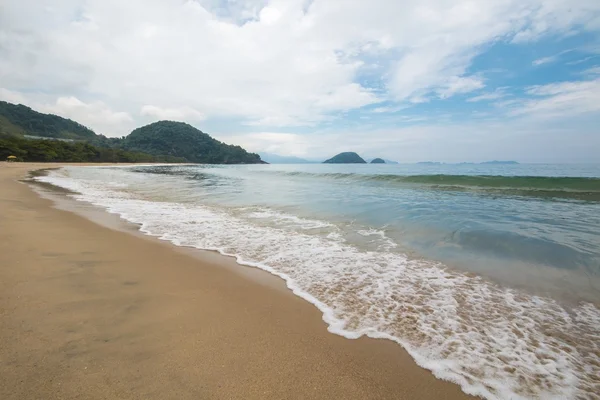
(508, 222)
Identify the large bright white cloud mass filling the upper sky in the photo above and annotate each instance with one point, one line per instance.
(266, 63)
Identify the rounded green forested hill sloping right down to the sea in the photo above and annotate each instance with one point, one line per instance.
(178, 139)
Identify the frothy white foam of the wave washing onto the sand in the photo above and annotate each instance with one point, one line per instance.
(494, 342)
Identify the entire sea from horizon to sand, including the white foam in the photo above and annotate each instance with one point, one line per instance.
(489, 275)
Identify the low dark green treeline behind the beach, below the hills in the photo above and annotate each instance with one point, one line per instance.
(40, 150)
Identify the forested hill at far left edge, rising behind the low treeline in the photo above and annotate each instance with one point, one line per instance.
(18, 119)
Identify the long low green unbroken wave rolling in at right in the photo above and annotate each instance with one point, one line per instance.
(577, 188)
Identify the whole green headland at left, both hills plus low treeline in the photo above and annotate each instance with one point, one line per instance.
(32, 136)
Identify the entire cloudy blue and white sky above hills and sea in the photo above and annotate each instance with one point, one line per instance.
(424, 80)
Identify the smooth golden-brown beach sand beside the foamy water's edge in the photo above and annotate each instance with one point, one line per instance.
(91, 312)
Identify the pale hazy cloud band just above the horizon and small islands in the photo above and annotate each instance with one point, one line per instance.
(474, 141)
